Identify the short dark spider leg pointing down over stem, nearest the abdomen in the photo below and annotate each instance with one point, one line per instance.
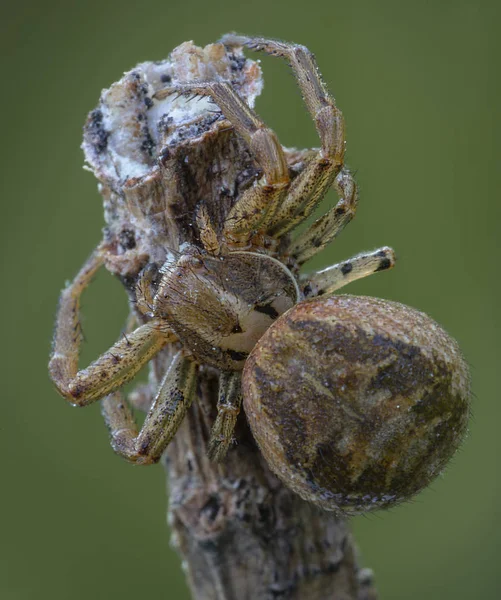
(228, 407)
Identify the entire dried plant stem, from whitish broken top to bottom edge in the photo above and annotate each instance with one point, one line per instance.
(241, 534)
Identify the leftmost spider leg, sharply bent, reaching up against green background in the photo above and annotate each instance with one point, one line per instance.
(113, 368)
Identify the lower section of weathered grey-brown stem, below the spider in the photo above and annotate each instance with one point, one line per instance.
(242, 534)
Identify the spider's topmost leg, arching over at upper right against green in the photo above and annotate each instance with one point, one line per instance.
(320, 173)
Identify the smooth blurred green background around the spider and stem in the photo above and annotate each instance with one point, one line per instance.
(419, 85)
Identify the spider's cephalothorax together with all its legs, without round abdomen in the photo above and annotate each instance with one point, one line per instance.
(216, 295)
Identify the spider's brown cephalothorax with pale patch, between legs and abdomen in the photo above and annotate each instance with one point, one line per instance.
(220, 306)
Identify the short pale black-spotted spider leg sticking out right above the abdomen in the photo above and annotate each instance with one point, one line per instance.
(333, 278)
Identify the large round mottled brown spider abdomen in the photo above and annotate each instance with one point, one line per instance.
(356, 403)
